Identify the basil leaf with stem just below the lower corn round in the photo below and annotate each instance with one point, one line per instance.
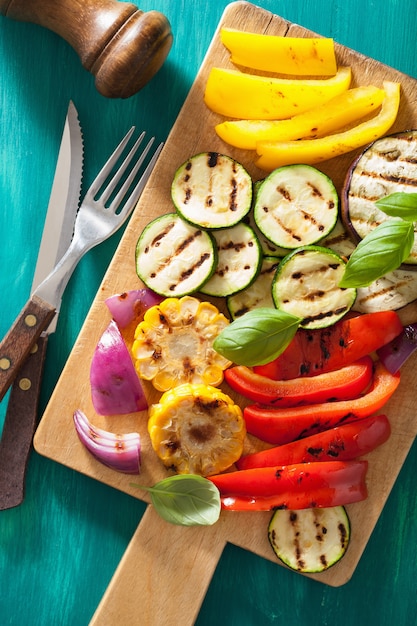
(186, 500)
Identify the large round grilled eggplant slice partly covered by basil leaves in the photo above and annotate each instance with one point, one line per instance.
(387, 166)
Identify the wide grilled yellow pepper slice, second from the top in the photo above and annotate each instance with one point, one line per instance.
(247, 96)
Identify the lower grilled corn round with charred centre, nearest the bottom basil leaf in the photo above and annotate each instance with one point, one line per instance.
(196, 429)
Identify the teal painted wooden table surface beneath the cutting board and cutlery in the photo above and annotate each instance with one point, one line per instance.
(59, 549)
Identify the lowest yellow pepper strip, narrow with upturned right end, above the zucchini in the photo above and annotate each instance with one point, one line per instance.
(311, 151)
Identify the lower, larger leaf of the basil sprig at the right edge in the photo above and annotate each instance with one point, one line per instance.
(381, 251)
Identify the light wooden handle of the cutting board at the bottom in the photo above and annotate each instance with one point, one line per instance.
(163, 575)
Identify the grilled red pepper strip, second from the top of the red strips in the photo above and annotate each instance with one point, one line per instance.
(342, 384)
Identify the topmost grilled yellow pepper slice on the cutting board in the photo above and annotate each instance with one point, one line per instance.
(300, 56)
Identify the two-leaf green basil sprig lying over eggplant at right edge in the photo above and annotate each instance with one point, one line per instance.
(387, 246)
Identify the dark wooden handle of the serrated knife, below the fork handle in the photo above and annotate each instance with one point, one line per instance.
(19, 427)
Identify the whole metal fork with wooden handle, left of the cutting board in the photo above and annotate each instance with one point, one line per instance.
(96, 221)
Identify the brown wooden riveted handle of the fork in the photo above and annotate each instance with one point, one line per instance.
(35, 316)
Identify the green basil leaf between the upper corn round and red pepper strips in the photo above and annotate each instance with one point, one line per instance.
(258, 337)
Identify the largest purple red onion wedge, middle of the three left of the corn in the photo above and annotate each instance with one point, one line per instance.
(115, 385)
